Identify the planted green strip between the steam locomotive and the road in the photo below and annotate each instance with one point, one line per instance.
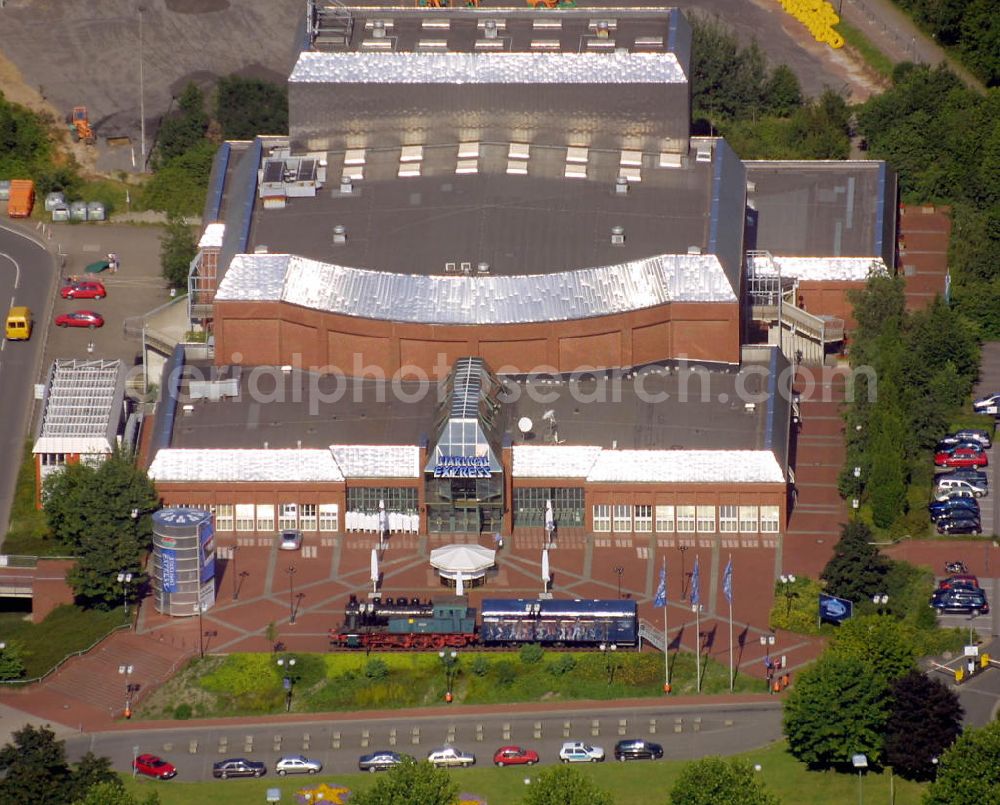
(247, 684)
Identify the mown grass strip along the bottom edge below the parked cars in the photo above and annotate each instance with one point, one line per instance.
(632, 784)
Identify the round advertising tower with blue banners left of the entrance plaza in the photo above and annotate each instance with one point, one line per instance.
(183, 561)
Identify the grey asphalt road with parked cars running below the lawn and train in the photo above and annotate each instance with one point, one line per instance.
(684, 734)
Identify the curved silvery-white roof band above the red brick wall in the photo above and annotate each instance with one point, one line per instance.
(521, 299)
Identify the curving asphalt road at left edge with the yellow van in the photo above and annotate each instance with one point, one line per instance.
(27, 277)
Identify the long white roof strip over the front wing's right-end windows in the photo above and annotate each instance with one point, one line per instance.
(687, 467)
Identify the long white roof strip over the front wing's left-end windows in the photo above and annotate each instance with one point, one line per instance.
(246, 466)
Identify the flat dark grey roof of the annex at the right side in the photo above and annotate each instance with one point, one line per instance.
(818, 209)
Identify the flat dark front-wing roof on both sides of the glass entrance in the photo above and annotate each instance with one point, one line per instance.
(702, 410)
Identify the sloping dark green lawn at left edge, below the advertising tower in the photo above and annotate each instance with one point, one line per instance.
(65, 630)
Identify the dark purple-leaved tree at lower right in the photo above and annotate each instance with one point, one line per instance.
(926, 719)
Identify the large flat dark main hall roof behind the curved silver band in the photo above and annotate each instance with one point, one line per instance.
(535, 224)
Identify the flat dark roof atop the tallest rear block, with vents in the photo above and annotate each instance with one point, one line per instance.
(517, 28)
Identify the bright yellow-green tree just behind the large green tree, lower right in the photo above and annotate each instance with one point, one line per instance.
(880, 644)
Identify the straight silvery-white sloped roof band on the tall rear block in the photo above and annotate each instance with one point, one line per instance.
(487, 68)
